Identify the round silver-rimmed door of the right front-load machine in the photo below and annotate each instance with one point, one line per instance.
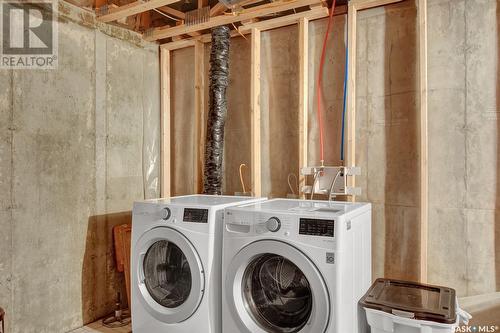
(274, 287)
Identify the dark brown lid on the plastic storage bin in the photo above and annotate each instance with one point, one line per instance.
(412, 300)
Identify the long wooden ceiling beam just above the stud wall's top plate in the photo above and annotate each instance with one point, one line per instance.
(246, 14)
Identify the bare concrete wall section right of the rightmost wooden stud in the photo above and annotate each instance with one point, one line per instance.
(464, 126)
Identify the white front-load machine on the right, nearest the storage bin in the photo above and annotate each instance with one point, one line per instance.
(295, 266)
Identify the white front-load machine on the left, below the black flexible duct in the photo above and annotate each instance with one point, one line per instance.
(176, 263)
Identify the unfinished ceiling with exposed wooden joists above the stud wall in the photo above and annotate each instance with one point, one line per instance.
(171, 20)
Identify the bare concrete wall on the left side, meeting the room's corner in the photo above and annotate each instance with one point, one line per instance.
(78, 145)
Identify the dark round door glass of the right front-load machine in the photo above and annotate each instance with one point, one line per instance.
(277, 293)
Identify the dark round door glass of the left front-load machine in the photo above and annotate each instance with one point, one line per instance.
(167, 274)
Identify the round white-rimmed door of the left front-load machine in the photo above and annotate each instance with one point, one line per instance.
(170, 275)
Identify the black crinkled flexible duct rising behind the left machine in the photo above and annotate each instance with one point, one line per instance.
(217, 105)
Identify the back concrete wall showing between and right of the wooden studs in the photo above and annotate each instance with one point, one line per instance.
(464, 95)
